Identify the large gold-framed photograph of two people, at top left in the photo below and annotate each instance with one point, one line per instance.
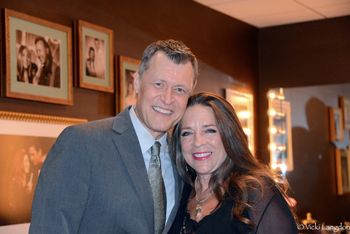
(38, 59)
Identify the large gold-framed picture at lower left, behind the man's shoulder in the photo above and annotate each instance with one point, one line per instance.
(25, 140)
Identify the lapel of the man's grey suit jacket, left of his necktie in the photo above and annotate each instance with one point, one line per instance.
(128, 146)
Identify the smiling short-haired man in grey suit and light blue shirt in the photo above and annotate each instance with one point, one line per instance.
(95, 179)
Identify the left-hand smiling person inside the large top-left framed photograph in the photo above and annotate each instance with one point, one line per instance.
(26, 70)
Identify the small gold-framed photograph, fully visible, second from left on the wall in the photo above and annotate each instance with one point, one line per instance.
(95, 57)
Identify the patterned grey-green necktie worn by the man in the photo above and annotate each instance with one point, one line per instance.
(158, 190)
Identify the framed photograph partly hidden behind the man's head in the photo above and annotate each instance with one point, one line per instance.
(127, 68)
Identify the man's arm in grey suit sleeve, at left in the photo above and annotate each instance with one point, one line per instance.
(62, 188)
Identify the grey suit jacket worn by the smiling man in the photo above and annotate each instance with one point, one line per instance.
(95, 181)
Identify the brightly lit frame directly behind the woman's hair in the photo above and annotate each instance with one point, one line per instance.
(243, 104)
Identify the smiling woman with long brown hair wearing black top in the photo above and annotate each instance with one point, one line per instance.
(227, 190)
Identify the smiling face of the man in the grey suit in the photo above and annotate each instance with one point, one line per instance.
(163, 91)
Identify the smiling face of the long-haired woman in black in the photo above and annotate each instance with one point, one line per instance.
(200, 139)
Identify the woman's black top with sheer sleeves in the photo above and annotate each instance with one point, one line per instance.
(270, 215)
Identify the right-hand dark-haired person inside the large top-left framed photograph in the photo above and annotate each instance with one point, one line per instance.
(48, 71)
